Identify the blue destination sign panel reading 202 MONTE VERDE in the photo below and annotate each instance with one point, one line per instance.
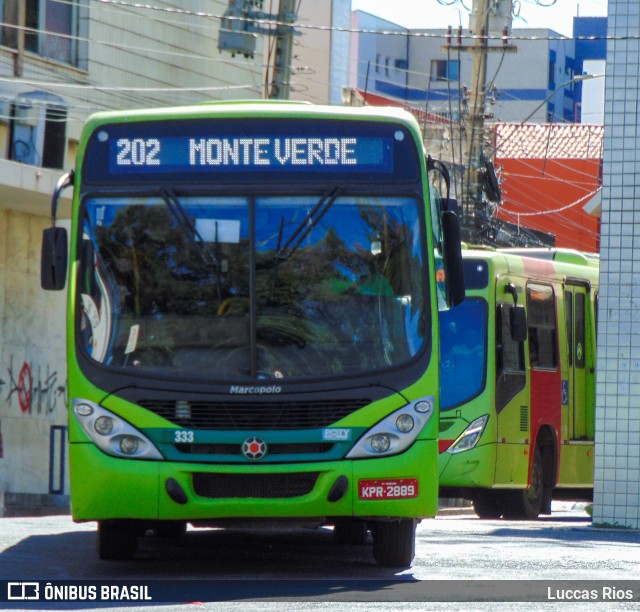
(275, 150)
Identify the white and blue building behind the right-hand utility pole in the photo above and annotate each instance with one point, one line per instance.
(432, 69)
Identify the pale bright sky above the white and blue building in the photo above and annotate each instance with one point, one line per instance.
(442, 13)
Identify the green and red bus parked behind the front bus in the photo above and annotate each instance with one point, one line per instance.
(518, 382)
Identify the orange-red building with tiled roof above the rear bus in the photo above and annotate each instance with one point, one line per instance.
(549, 174)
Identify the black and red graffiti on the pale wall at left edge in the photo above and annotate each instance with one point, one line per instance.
(35, 391)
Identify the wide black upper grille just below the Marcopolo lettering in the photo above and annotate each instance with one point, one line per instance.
(254, 416)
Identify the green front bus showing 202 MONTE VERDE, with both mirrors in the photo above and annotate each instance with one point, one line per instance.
(253, 321)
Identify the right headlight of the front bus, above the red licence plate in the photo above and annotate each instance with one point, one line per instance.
(396, 432)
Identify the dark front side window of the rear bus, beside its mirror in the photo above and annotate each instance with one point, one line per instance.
(510, 372)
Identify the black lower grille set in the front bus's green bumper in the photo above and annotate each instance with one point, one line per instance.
(263, 486)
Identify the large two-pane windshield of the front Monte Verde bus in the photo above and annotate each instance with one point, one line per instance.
(217, 287)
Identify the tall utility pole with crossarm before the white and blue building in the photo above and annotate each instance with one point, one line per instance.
(473, 208)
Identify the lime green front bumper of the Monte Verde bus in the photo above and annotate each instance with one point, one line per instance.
(104, 487)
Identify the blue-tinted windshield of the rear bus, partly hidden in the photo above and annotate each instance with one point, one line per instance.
(463, 352)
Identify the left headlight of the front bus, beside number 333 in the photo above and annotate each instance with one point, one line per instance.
(112, 434)
